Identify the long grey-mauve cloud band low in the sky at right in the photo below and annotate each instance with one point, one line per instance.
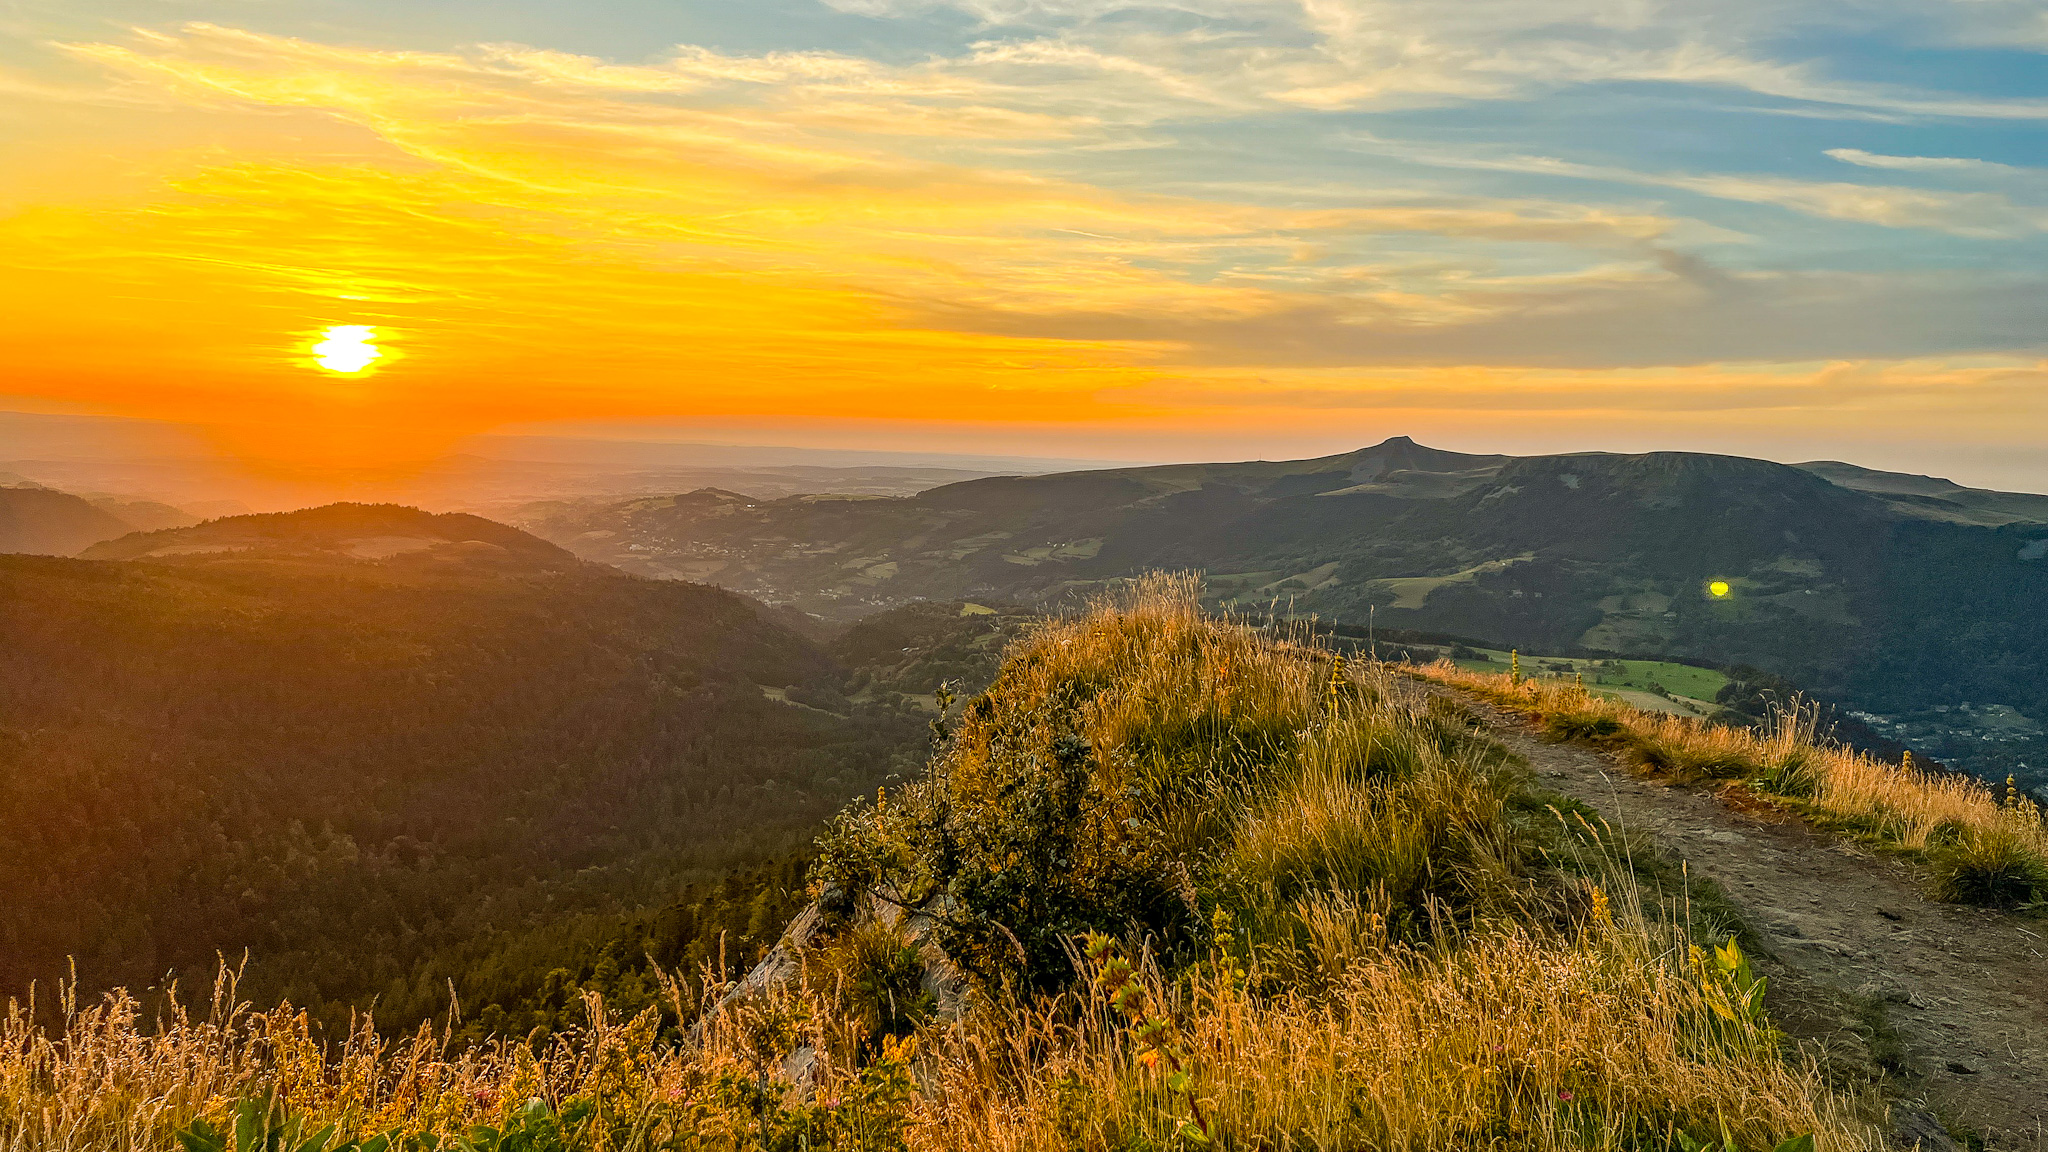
(1691, 315)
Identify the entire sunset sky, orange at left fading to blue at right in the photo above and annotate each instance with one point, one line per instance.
(1078, 229)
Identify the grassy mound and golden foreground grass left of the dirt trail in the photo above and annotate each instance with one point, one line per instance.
(1172, 882)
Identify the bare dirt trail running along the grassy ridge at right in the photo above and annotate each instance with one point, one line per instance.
(1965, 989)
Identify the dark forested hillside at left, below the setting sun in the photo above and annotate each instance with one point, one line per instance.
(380, 774)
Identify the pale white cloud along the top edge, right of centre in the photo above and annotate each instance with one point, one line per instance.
(1140, 56)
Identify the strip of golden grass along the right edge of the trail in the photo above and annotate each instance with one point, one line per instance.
(1979, 848)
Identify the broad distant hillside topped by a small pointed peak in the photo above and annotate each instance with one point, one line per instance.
(1891, 593)
